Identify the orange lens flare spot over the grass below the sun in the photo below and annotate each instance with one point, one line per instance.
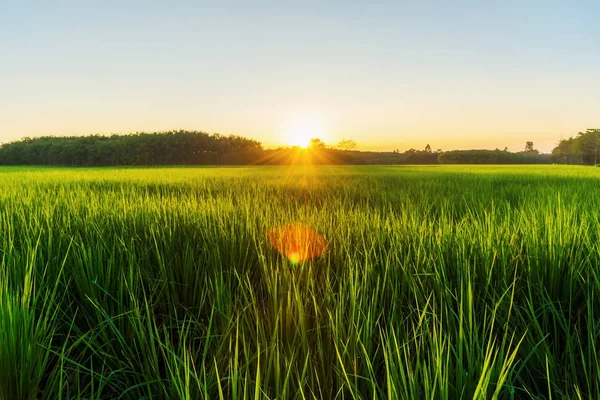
(297, 242)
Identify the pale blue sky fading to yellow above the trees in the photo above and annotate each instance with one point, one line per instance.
(388, 75)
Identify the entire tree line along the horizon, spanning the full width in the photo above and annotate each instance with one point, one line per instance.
(201, 148)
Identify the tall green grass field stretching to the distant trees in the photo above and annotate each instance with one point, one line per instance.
(440, 282)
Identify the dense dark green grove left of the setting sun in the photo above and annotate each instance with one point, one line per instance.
(165, 148)
